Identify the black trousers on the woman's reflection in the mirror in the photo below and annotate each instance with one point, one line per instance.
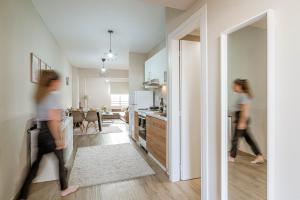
(248, 137)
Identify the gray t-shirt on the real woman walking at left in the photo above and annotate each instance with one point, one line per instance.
(52, 101)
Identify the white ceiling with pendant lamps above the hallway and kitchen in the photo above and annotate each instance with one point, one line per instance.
(80, 27)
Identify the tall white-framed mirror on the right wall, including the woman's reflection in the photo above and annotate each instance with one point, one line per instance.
(247, 77)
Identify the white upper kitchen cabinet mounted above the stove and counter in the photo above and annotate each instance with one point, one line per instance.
(156, 67)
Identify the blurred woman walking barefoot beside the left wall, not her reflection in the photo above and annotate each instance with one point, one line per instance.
(50, 138)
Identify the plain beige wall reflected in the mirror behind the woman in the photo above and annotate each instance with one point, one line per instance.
(247, 59)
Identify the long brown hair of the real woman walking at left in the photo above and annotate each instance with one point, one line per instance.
(46, 77)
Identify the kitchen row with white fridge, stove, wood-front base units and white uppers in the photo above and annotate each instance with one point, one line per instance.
(148, 109)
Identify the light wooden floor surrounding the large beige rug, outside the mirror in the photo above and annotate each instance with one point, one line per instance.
(155, 187)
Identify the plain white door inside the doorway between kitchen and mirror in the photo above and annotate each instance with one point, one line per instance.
(190, 62)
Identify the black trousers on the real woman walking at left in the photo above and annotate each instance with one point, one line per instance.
(46, 144)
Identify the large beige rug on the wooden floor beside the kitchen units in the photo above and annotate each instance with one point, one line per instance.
(108, 163)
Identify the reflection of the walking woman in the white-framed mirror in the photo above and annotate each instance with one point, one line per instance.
(241, 86)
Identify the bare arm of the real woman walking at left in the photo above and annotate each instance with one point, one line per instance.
(54, 126)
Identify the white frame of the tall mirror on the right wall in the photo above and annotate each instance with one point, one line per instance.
(270, 96)
